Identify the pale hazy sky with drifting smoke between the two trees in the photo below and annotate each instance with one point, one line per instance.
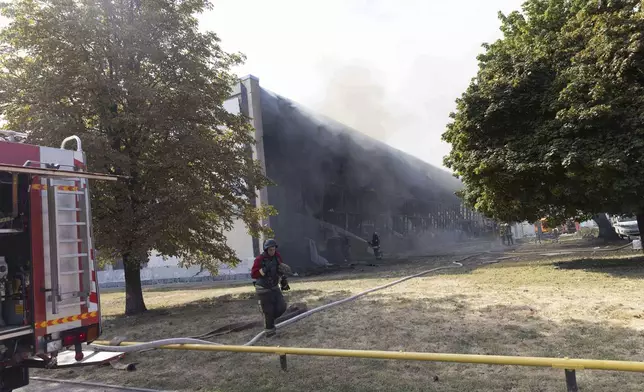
(390, 69)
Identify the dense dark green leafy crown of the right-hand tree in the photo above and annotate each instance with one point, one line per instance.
(552, 124)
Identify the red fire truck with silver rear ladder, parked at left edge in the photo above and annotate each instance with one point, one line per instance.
(49, 299)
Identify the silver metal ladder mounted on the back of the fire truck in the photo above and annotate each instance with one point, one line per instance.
(56, 225)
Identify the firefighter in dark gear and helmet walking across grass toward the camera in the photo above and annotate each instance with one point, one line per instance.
(269, 272)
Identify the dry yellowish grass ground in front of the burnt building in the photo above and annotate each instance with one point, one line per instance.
(583, 304)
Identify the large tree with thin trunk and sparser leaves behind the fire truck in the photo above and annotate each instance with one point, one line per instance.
(144, 89)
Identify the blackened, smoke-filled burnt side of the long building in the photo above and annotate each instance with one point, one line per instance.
(335, 186)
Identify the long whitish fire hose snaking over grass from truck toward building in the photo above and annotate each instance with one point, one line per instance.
(105, 346)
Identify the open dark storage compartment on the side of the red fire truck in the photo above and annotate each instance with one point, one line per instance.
(15, 252)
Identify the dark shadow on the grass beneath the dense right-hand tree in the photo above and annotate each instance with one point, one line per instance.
(628, 267)
